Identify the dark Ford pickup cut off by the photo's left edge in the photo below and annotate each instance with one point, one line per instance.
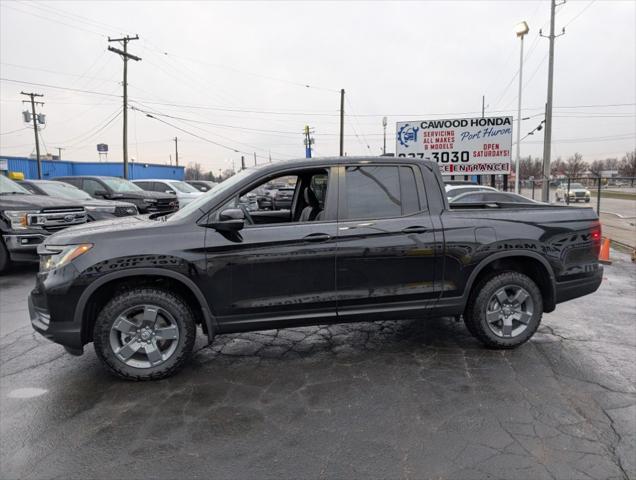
(27, 219)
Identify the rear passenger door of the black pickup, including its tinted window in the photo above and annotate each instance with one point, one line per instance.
(384, 265)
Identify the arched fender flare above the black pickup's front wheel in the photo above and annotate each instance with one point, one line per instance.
(210, 321)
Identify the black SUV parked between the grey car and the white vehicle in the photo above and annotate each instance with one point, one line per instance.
(115, 188)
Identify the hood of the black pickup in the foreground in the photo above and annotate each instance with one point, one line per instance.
(99, 231)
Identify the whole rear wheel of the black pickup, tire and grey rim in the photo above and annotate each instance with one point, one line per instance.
(505, 310)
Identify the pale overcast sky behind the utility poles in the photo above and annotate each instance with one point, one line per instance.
(251, 75)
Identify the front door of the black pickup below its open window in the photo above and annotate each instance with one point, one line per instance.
(274, 270)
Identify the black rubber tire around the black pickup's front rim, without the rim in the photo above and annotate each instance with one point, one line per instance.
(173, 304)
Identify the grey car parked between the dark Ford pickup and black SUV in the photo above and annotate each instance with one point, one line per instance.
(95, 209)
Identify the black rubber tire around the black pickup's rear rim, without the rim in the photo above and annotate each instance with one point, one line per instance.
(475, 314)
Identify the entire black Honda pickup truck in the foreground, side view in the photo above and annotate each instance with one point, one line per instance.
(365, 239)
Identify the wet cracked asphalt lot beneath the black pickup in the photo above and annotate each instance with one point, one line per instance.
(370, 400)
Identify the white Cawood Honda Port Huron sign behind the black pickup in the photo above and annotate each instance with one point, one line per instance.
(461, 146)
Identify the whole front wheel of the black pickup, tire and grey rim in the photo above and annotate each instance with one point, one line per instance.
(145, 334)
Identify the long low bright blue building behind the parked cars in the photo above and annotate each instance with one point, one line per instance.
(59, 168)
